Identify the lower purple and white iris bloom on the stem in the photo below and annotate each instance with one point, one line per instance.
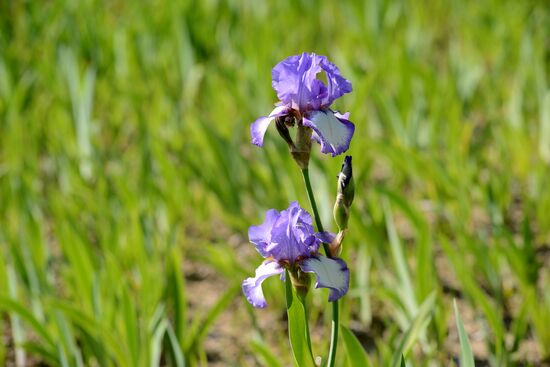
(287, 240)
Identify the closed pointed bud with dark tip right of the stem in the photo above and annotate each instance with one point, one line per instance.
(345, 194)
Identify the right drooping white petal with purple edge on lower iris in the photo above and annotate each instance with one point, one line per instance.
(329, 273)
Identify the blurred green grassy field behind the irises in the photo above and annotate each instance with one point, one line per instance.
(128, 181)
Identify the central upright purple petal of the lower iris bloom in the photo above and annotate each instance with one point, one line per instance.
(292, 235)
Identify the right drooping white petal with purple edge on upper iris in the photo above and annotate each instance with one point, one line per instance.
(331, 129)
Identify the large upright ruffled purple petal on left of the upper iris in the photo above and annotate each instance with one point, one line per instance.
(295, 81)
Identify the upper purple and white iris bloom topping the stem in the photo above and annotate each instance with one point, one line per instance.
(308, 99)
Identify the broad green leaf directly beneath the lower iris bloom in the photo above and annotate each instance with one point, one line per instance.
(297, 327)
